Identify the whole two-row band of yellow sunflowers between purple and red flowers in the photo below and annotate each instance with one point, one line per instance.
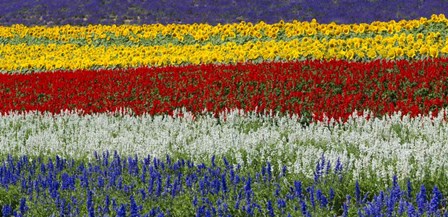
(40, 48)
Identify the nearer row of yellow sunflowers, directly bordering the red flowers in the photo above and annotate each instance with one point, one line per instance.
(69, 56)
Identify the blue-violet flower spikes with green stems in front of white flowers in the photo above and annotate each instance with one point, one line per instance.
(120, 186)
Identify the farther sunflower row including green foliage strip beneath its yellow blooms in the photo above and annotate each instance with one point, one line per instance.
(186, 34)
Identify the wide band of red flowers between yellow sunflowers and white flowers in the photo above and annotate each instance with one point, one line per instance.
(336, 88)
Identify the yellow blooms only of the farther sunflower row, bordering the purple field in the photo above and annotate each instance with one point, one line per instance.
(203, 32)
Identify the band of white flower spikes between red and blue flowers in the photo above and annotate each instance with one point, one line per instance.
(370, 148)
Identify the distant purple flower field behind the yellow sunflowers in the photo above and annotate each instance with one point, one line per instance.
(82, 12)
